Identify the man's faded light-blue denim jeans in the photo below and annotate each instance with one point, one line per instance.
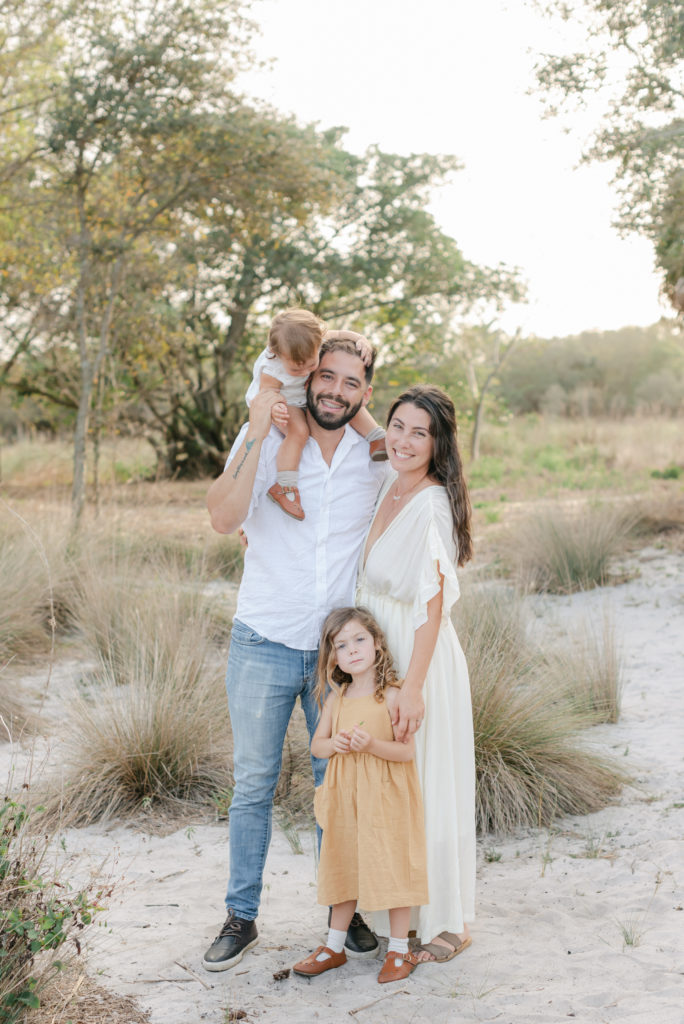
(264, 681)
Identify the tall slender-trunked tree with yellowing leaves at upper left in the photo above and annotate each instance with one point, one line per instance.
(142, 136)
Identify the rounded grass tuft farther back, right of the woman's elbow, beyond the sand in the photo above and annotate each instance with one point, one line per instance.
(559, 553)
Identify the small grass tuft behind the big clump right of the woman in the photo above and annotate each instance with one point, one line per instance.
(588, 673)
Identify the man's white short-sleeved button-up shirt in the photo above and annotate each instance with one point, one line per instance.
(297, 572)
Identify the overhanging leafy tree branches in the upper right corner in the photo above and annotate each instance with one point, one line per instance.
(634, 62)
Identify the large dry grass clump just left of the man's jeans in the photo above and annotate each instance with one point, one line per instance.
(151, 735)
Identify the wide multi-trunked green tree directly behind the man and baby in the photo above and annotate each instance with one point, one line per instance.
(371, 258)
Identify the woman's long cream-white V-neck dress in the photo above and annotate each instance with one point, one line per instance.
(397, 579)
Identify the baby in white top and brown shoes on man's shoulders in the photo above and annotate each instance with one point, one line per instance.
(285, 366)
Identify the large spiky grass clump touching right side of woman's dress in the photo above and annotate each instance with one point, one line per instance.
(532, 765)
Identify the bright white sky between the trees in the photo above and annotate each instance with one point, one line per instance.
(452, 76)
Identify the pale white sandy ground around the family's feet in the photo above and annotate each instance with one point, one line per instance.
(584, 921)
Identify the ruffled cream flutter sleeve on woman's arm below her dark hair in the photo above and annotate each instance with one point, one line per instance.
(439, 554)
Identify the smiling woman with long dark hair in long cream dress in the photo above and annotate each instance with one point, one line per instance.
(407, 580)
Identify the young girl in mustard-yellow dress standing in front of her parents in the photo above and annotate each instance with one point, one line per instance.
(369, 806)
